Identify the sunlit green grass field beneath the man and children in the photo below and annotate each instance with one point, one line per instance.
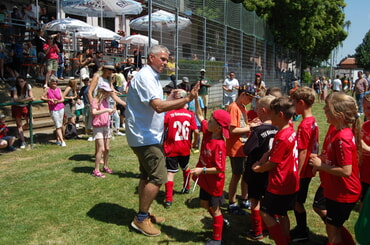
(48, 196)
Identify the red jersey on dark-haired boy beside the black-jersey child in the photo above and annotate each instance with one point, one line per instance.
(283, 179)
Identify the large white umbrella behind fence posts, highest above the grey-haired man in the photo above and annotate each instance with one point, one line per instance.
(161, 21)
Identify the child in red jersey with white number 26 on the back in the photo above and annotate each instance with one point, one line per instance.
(179, 126)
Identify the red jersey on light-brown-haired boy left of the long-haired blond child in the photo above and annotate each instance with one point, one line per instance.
(308, 138)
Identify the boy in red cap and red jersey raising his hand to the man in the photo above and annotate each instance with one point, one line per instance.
(210, 169)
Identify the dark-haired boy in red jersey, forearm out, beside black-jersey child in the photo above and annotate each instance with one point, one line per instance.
(283, 180)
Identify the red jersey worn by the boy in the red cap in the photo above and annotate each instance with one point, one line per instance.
(212, 154)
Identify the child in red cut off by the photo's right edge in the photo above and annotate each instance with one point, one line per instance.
(364, 163)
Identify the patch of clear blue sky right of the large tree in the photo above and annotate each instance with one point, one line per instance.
(358, 12)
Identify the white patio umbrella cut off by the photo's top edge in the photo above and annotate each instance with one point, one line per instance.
(102, 8)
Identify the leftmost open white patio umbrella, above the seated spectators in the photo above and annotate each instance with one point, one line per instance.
(68, 25)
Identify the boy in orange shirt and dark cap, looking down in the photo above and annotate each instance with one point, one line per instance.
(239, 128)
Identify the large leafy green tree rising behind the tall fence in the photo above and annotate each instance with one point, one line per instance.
(314, 27)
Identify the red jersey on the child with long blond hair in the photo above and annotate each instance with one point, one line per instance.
(342, 151)
